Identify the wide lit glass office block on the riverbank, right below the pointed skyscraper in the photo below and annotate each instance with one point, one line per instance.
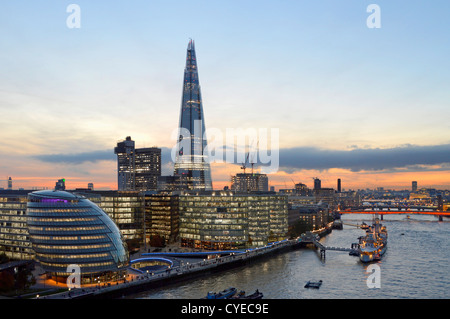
(226, 220)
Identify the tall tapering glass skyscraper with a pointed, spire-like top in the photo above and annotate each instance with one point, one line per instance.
(192, 162)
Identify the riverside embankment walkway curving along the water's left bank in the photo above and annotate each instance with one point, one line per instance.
(182, 271)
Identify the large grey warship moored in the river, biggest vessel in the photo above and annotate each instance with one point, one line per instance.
(374, 244)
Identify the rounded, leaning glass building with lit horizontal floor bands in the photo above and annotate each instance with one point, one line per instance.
(67, 229)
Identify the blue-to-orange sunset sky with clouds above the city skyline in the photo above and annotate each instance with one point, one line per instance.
(369, 106)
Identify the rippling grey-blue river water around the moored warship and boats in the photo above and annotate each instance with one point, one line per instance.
(415, 265)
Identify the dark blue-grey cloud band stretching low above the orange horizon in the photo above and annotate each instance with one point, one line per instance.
(411, 157)
